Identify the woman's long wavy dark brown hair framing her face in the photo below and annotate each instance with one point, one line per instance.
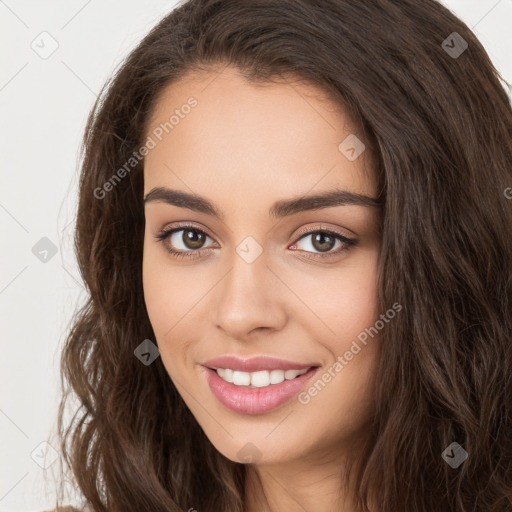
(441, 123)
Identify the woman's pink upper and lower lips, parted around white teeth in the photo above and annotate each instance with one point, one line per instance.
(246, 400)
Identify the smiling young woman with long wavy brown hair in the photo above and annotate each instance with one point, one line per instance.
(294, 228)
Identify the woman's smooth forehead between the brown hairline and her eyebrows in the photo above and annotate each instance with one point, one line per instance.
(277, 136)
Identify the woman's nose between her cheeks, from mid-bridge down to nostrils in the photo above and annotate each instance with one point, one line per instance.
(250, 297)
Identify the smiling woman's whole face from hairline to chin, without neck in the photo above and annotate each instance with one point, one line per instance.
(259, 297)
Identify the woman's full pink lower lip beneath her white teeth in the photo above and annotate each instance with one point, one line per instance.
(245, 400)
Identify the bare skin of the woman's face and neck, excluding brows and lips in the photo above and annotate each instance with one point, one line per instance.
(244, 147)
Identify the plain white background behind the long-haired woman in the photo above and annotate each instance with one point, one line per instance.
(45, 103)
